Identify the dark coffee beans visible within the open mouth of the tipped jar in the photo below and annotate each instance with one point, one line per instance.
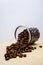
(23, 37)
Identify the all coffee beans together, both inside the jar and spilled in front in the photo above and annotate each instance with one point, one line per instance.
(23, 44)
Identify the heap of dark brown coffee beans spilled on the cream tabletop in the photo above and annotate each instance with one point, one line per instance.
(16, 49)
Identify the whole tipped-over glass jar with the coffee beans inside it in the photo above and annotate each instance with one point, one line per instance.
(28, 35)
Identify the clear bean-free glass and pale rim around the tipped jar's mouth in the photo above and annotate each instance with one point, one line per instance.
(20, 29)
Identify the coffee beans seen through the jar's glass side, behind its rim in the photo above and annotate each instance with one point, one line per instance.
(35, 34)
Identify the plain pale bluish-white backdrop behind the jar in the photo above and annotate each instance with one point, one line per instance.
(20, 12)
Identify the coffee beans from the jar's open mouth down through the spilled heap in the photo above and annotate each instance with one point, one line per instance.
(21, 46)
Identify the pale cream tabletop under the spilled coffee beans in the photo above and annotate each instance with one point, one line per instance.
(33, 58)
